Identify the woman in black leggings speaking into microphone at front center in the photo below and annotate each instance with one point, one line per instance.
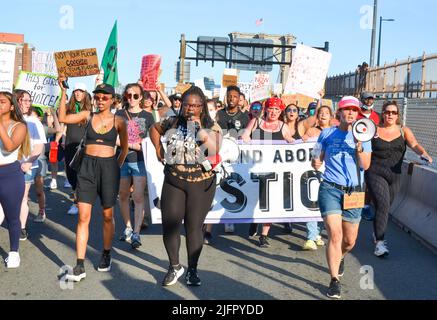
(189, 186)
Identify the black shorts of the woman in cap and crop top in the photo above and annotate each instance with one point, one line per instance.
(98, 177)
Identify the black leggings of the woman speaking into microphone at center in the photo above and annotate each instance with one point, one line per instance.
(188, 201)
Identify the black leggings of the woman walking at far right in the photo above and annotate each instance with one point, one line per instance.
(383, 185)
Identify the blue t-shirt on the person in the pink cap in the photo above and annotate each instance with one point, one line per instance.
(340, 156)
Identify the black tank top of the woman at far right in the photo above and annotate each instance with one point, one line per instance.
(388, 153)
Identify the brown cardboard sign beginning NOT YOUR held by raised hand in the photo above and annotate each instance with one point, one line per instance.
(77, 63)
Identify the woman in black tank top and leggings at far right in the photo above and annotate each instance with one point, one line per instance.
(383, 176)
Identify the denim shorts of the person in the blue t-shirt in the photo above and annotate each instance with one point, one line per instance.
(331, 202)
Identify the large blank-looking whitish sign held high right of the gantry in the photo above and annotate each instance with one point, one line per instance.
(308, 71)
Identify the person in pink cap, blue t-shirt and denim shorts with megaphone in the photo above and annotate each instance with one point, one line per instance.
(340, 194)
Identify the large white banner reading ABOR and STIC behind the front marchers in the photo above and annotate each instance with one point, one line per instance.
(270, 183)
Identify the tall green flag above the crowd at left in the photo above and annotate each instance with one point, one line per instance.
(109, 61)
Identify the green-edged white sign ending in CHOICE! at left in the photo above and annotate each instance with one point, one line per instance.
(43, 89)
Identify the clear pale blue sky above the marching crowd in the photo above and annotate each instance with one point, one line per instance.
(155, 27)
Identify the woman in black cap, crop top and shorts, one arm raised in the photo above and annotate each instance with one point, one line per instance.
(99, 173)
